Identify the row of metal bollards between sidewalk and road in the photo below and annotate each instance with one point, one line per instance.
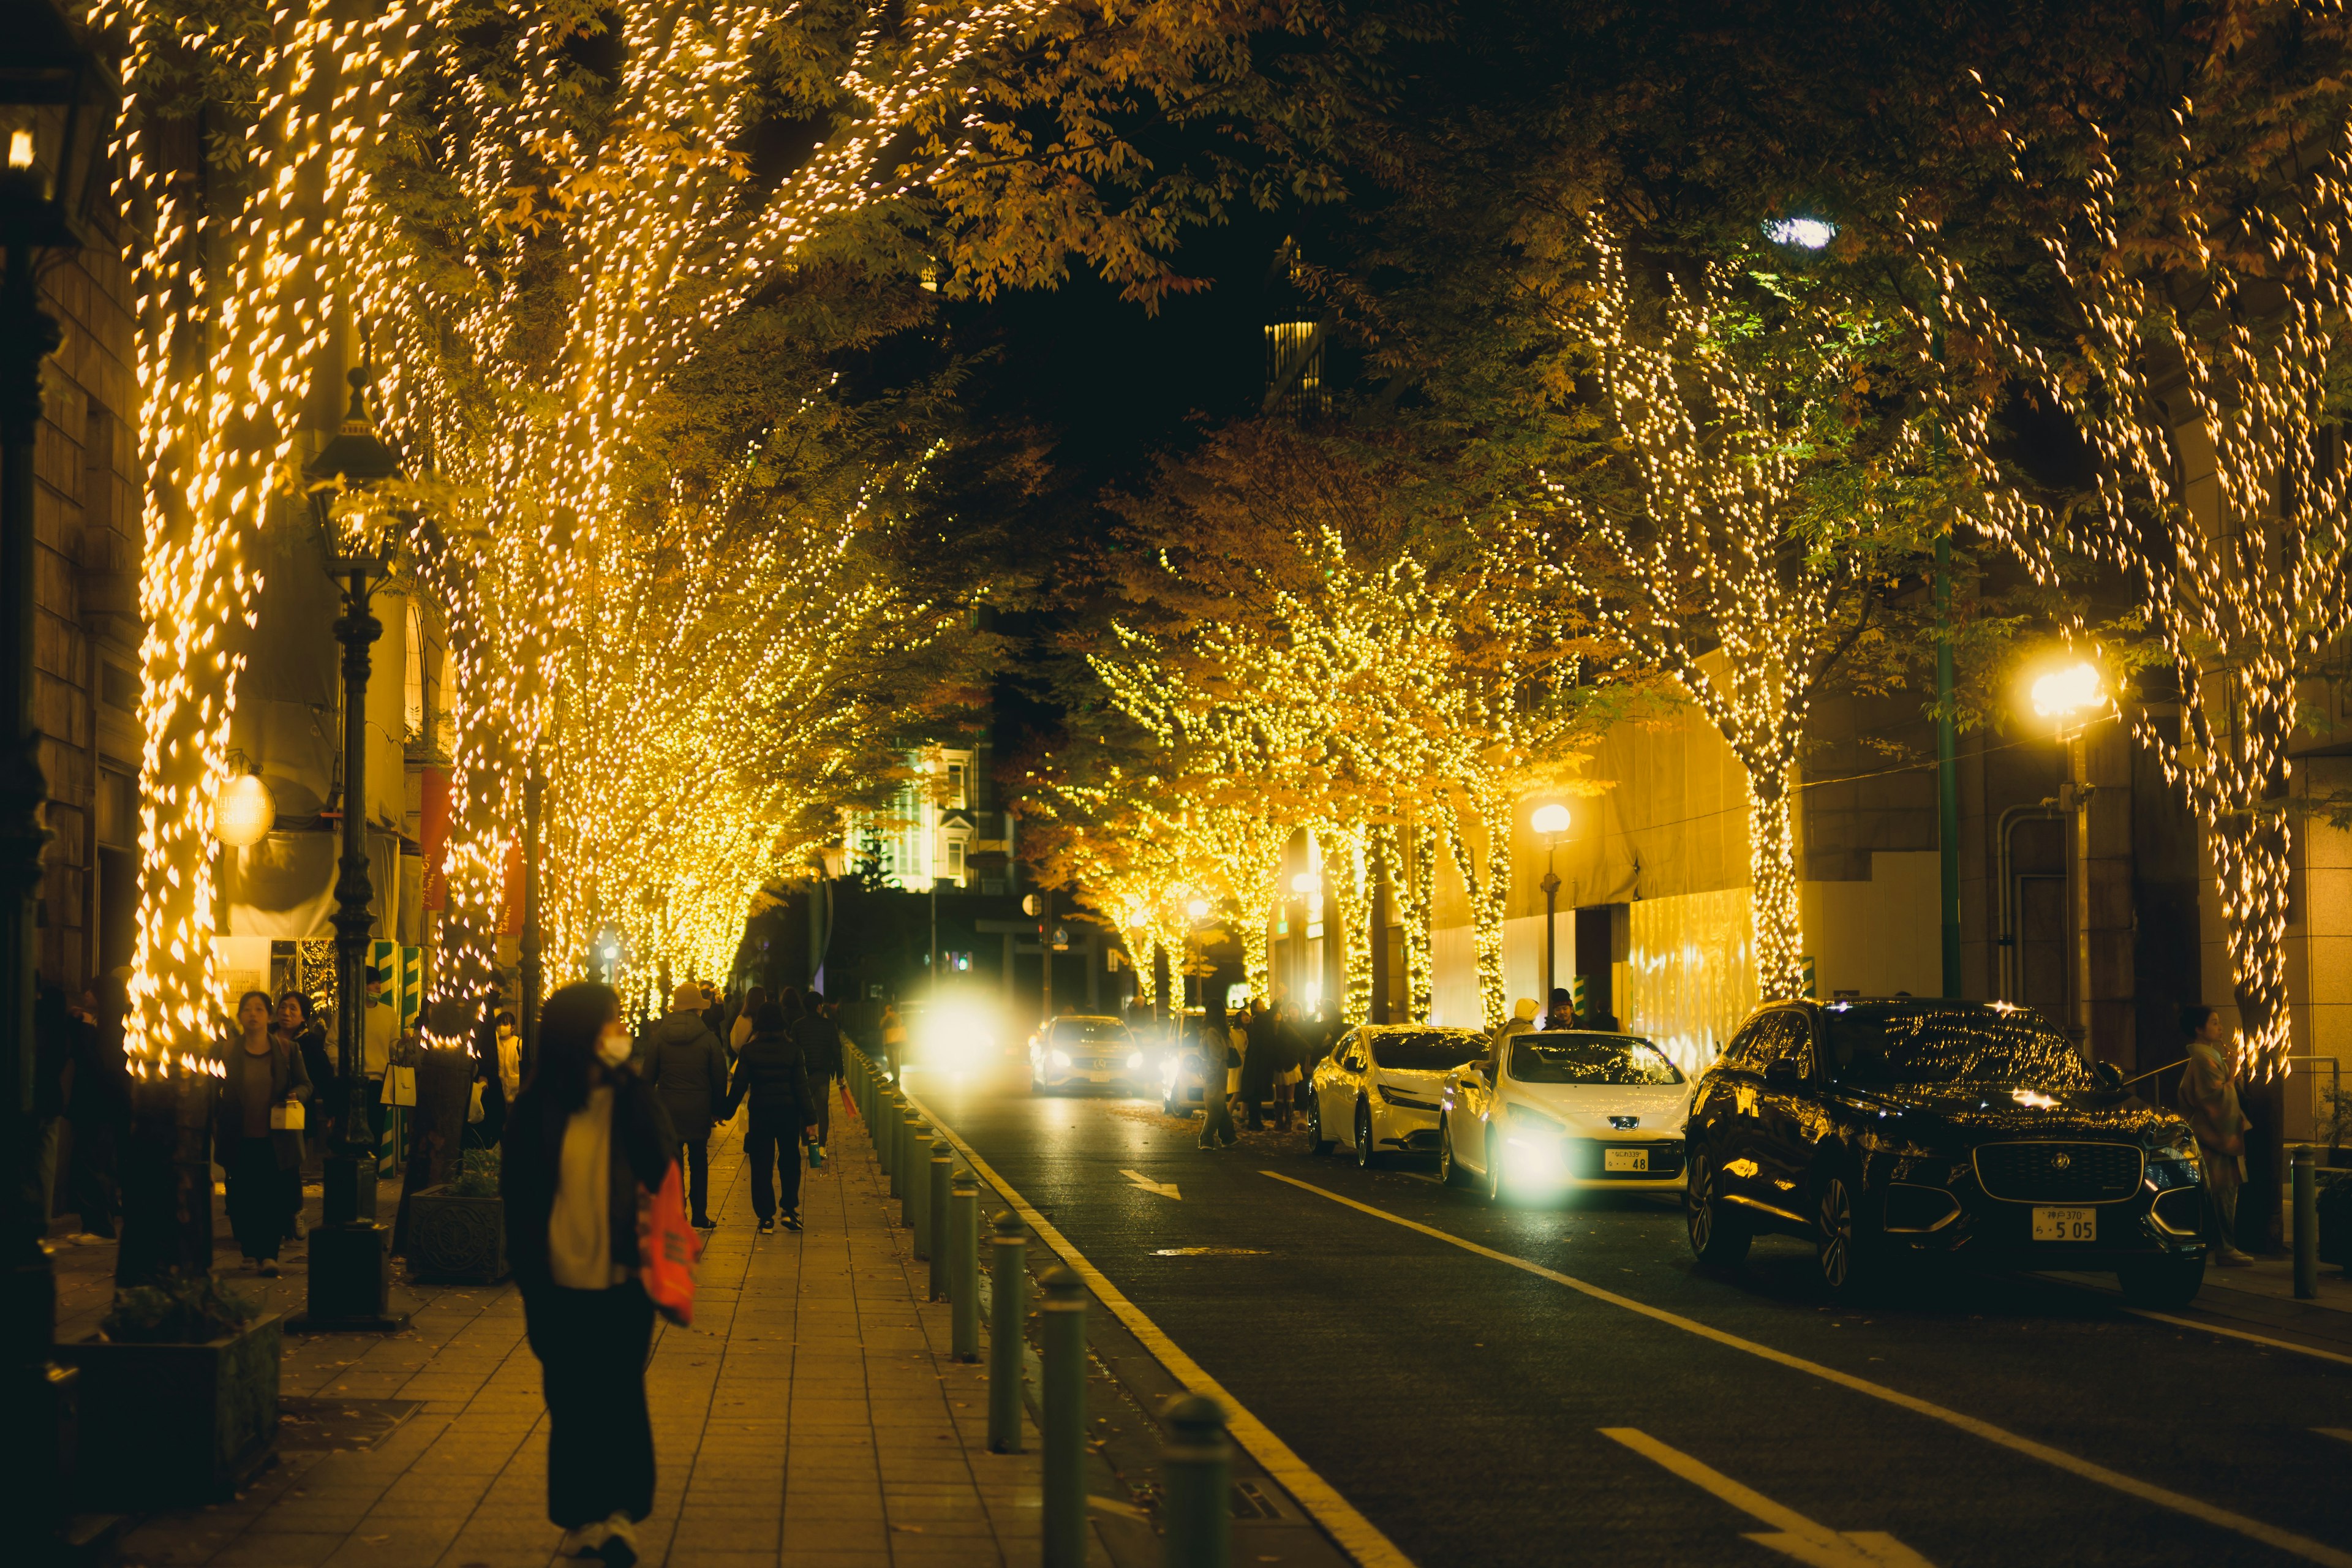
(944, 1212)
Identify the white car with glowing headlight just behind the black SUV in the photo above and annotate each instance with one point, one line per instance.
(1565, 1111)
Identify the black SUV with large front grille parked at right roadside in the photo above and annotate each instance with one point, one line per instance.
(1970, 1130)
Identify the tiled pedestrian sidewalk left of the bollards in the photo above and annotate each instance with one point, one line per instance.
(813, 1416)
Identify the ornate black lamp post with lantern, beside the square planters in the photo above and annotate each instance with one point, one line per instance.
(352, 1264)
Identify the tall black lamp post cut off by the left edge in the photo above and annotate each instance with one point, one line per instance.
(58, 102)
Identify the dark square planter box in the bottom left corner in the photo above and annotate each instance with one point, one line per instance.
(175, 1426)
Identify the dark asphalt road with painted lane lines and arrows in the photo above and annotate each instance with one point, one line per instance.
(1483, 1414)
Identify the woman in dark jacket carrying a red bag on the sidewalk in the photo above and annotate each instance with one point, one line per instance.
(582, 1141)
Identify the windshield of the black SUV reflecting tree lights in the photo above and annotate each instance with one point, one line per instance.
(1951, 1045)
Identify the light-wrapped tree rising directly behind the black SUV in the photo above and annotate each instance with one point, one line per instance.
(1706, 549)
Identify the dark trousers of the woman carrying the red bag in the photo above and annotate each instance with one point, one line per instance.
(592, 1353)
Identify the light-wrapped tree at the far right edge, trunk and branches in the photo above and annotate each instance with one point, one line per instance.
(2163, 253)
